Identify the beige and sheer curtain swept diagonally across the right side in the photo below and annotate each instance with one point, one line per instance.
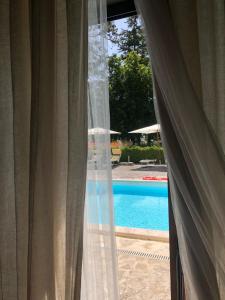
(187, 48)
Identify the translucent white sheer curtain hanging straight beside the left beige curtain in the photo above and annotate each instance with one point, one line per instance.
(99, 254)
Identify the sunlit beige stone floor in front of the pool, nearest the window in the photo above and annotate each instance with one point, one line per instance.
(140, 277)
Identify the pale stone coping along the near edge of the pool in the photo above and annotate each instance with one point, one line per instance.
(142, 234)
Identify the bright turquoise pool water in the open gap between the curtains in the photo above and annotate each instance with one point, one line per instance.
(141, 204)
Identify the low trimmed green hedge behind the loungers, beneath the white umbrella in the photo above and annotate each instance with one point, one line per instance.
(138, 153)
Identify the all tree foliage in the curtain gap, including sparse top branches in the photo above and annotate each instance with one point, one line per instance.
(130, 80)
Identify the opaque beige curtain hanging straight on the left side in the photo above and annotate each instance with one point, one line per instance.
(43, 142)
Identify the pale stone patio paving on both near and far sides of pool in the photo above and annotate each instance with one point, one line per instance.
(144, 270)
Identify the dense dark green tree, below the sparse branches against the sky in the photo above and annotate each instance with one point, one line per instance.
(130, 93)
